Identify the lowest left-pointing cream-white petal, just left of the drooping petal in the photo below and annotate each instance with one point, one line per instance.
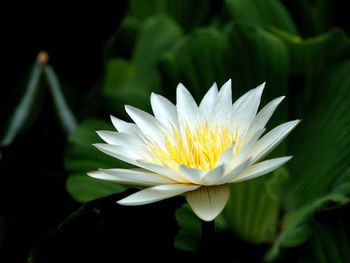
(156, 193)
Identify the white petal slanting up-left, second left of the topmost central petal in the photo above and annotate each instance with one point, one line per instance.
(148, 124)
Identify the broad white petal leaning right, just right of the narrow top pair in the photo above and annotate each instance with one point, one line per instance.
(245, 108)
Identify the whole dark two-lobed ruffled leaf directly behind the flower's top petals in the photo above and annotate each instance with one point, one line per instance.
(248, 55)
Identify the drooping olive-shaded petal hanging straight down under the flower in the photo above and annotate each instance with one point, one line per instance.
(207, 202)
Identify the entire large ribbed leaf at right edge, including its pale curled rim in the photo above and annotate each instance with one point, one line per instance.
(320, 173)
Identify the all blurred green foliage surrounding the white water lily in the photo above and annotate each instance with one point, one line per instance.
(295, 214)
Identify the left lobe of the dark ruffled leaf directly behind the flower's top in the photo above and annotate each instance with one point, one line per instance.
(197, 61)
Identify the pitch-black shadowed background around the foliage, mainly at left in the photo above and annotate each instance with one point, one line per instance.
(33, 199)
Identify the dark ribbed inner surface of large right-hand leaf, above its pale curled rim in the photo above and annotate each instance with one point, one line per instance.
(320, 143)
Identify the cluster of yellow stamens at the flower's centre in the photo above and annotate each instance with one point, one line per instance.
(199, 148)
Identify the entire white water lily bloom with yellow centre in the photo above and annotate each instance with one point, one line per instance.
(191, 149)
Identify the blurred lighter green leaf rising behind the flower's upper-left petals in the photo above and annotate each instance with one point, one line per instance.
(139, 77)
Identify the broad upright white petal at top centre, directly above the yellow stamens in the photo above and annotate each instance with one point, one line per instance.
(187, 109)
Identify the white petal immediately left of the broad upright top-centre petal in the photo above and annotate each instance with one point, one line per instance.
(164, 111)
